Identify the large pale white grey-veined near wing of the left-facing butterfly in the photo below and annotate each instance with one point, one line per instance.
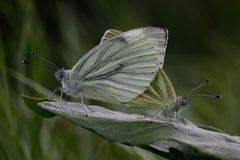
(123, 66)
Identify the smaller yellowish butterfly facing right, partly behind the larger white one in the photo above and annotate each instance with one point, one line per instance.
(160, 96)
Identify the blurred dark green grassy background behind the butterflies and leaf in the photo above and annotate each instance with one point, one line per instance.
(204, 42)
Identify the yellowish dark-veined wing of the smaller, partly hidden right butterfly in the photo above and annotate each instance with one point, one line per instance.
(159, 93)
